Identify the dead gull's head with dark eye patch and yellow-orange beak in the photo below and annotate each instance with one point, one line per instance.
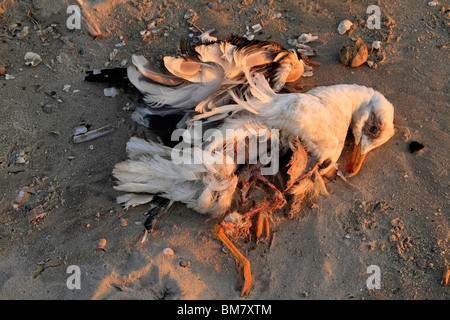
(372, 125)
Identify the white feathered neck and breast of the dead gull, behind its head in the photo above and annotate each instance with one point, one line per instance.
(320, 118)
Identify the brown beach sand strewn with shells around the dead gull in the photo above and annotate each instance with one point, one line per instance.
(394, 214)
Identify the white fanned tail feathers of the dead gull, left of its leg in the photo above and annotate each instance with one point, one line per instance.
(201, 186)
